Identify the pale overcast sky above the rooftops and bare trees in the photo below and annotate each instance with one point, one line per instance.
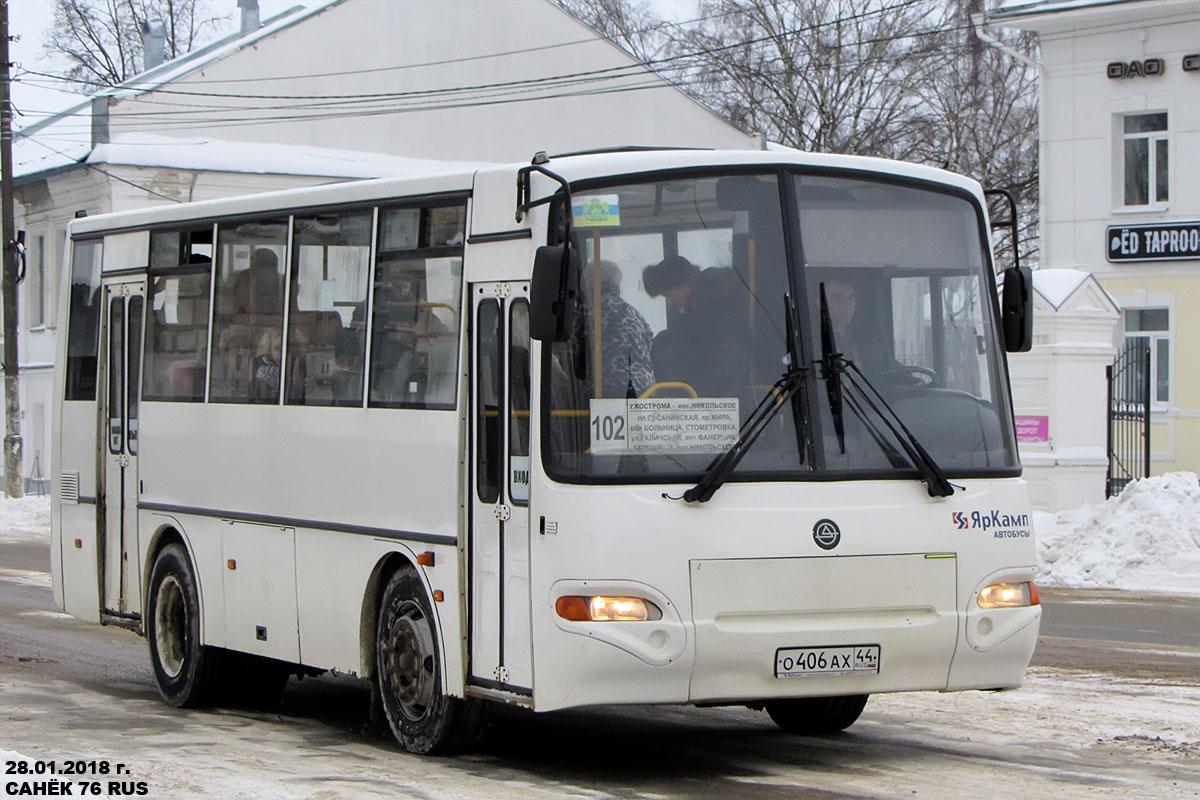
(31, 20)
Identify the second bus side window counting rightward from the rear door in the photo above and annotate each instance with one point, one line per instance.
(248, 316)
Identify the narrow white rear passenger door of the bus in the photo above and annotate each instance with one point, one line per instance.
(119, 557)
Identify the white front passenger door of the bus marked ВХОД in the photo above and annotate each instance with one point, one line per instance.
(499, 554)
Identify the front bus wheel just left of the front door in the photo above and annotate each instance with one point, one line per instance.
(409, 673)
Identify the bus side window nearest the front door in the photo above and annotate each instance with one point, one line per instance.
(416, 309)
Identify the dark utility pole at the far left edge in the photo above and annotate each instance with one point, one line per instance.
(13, 447)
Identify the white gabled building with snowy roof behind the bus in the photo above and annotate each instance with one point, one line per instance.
(340, 91)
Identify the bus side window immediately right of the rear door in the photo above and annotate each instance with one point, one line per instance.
(177, 339)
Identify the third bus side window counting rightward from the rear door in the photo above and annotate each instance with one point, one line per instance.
(328, 314)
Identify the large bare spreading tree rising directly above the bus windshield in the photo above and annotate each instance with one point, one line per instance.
(835, 76)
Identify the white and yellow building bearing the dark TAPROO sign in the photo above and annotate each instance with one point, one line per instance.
(1120, 154)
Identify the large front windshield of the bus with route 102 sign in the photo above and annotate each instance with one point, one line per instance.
(699, 294)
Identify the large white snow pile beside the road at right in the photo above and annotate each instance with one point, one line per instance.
(1147, 539)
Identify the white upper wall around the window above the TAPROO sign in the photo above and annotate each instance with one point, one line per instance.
(1082, 135)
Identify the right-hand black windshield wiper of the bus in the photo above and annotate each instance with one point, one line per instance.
(835, 368)
